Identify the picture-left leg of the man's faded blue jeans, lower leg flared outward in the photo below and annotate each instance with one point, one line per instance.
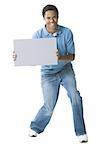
(50, 89)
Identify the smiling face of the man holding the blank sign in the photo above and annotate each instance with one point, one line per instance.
(51, 20)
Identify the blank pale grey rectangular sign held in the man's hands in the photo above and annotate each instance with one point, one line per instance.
(32, 52)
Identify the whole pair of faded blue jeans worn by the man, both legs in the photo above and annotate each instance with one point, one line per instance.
(50, 88)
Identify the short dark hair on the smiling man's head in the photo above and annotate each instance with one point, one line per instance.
(50, 7)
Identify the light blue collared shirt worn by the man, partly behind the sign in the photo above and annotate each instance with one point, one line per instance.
(65, 45)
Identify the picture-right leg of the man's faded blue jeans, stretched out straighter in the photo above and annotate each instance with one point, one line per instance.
(69, 83)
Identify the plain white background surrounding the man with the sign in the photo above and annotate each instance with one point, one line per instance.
(20, 90)
